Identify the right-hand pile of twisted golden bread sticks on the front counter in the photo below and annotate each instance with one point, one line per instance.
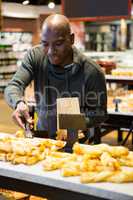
(93, 163)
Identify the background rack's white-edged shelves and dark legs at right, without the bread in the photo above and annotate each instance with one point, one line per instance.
(119, 121)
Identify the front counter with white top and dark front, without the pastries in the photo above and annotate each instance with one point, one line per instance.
(34, 180)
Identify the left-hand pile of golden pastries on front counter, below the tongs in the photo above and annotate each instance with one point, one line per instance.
(27, 151)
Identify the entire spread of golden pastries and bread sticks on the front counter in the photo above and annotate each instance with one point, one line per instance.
(92, 163)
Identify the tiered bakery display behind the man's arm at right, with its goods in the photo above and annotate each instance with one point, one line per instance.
(119, 78)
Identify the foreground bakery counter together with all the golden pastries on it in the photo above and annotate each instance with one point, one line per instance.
(54, 174)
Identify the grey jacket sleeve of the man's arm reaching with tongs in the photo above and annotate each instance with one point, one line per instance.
(14, 91)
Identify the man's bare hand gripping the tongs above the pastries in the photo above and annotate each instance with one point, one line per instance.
(21, 114)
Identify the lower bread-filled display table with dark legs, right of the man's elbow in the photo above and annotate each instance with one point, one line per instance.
(120, 107)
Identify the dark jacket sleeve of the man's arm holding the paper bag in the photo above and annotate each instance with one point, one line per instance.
(95, 98)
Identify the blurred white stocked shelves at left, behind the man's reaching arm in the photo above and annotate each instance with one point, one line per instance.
(13, 46)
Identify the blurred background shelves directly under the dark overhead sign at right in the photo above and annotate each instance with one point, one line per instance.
(109, 35)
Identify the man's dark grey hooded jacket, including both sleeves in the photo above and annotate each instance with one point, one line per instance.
(83, 79)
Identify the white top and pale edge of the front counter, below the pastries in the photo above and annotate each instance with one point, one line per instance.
(35, 174)
